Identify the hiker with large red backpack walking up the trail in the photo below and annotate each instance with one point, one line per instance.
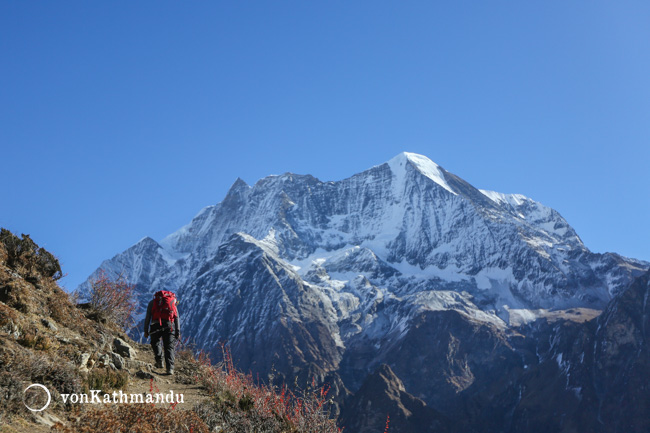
(165, 327)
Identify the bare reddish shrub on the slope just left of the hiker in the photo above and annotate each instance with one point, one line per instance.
(112, 299)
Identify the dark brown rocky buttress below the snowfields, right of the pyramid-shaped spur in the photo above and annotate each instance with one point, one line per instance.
(451, 353)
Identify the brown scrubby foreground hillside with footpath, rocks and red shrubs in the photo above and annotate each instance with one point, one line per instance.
(47, 339)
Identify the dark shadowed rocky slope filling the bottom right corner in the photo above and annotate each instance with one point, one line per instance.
(592, 376)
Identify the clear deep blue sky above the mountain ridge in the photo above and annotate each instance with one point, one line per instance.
(122, 119)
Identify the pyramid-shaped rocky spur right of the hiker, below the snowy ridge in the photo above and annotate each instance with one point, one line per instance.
(290, 329)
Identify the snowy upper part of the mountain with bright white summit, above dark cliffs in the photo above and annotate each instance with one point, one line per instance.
(408, 226)
